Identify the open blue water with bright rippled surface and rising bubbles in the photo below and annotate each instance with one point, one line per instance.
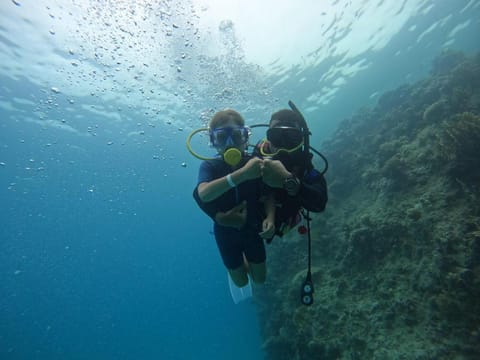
(103, 252)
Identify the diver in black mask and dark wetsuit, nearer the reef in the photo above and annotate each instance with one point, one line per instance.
(288, 169)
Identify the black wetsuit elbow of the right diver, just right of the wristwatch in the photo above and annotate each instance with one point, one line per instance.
(313, 193)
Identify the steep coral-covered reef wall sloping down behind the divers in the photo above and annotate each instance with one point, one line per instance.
(396, 254)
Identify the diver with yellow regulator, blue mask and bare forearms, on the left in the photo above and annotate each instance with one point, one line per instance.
(229, 191)
